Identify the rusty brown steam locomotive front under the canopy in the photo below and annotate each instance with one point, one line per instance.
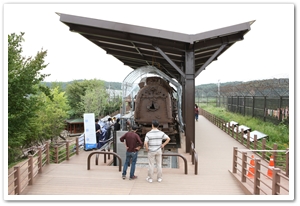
(155, 100)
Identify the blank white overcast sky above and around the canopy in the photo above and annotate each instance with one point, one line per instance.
(267, 50)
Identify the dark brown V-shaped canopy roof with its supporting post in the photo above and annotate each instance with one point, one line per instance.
(180, 56)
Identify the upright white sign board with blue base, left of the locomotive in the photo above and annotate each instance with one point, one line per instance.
(89, 131)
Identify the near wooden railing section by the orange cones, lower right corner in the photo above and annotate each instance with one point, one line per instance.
(264, 179)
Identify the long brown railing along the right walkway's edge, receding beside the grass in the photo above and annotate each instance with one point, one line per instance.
(281, 159)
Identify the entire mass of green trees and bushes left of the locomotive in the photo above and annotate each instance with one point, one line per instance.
(37, 111)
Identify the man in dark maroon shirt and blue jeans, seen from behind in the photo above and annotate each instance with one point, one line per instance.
(133, 144)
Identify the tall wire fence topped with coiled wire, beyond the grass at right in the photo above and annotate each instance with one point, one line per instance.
(265, 99)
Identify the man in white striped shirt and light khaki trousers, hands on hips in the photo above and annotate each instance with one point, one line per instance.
(153, 145)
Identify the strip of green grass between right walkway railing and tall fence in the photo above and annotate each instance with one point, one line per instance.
(278, 134)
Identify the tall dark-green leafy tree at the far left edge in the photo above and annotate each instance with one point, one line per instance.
(24, 77)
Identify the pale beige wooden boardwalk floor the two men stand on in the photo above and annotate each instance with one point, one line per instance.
(71, 180)
